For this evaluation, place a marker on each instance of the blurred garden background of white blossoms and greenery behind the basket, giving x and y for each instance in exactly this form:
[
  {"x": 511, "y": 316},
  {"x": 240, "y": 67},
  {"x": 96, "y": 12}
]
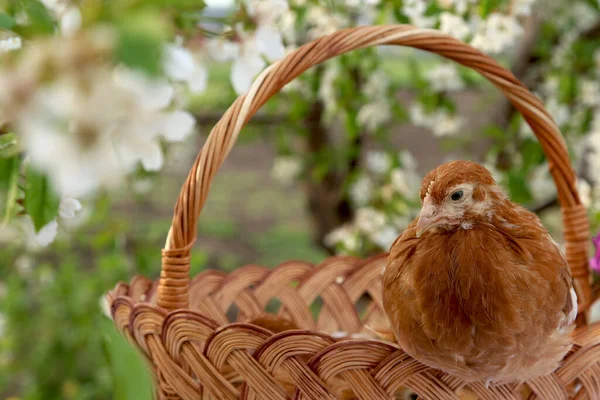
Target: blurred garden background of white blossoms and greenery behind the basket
[{"x": 105, "y": 104}]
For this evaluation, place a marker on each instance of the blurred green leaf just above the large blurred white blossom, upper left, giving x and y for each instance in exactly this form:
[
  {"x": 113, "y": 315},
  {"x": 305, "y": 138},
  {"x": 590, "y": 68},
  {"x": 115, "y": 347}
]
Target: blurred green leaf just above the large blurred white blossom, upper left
[{"x": 141, "y": 39}]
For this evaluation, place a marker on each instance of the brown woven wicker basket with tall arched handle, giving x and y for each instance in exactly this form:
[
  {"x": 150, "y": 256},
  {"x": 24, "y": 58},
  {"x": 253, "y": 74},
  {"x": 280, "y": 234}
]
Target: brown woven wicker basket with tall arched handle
[{"x": 181, "y": 325}]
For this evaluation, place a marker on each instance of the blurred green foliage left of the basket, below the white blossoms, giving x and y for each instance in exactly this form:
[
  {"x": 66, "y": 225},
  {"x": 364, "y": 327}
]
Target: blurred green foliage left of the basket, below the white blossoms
[{"x": 57, "y": 344}]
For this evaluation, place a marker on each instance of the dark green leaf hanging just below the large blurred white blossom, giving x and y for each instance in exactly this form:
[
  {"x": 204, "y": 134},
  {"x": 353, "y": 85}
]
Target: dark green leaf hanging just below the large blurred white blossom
[{"x": 41, "y": 202}]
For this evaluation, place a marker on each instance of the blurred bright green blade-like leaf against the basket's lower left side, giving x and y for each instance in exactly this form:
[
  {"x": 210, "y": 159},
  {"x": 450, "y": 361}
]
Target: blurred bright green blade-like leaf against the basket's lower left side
[{"x": 131, "y": 377}]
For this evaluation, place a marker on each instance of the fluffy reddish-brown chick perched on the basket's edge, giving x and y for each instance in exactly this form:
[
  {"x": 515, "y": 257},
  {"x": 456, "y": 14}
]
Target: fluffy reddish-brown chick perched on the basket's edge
[{"x": 476, "y": 286}]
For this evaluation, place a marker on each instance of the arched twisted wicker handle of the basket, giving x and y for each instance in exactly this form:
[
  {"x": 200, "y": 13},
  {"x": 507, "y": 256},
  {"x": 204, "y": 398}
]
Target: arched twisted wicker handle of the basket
[{"x": 174, "y": 279}]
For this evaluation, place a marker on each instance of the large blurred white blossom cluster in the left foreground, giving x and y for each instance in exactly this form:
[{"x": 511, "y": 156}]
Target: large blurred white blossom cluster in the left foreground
[{"x": 101, "y": 122}]
